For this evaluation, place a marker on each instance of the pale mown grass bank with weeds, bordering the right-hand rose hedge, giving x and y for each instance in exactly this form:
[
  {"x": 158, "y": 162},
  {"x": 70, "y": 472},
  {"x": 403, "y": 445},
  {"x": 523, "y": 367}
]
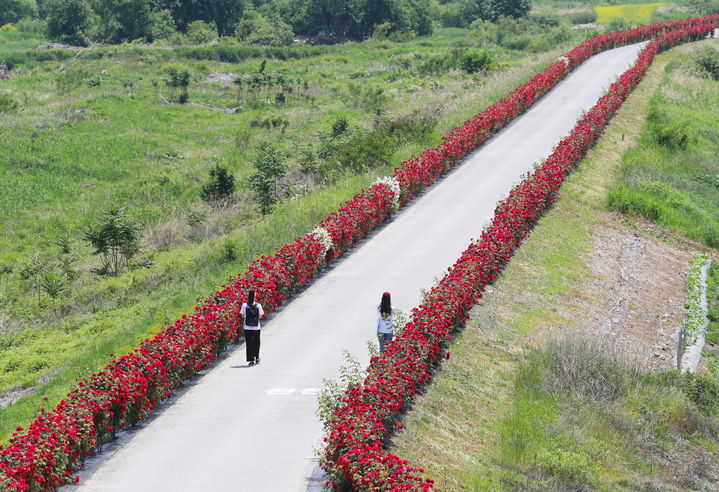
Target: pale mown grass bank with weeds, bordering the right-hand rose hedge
[{"x": 523, "y": 404}]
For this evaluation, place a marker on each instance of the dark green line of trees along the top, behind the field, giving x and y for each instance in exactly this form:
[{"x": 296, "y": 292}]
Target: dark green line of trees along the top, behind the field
[{"x": 261, "y": 22}]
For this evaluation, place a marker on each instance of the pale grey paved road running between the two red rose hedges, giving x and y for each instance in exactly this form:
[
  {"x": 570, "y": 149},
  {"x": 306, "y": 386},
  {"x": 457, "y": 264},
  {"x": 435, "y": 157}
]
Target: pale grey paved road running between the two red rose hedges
[{"x": 242, "y": 428}]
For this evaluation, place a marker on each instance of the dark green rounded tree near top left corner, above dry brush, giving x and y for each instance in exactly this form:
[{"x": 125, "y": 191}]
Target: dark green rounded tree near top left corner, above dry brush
[{"x": 68, "y": 21}]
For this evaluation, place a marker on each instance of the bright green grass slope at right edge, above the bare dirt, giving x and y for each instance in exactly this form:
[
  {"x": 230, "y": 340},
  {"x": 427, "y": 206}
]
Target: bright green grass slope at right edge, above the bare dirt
[{"x": 672, "y": 176}]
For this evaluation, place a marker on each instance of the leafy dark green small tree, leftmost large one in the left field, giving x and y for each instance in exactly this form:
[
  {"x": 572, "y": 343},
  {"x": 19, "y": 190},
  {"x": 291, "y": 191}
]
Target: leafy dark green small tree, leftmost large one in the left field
[{"x": 116, "y": 239}]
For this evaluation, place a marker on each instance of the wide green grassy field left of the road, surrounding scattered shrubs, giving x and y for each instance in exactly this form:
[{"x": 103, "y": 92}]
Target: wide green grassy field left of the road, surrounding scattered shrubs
[{"x": 95, "y": 129}]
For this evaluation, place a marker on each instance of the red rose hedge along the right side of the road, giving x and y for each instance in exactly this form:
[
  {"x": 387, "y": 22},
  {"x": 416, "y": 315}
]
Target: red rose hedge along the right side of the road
[{"x": 354, "y": 455}]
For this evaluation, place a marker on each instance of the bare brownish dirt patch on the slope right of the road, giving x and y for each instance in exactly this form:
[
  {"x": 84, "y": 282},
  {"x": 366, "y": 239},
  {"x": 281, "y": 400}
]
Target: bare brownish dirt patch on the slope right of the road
[{"x": 633, "y": 295}]
